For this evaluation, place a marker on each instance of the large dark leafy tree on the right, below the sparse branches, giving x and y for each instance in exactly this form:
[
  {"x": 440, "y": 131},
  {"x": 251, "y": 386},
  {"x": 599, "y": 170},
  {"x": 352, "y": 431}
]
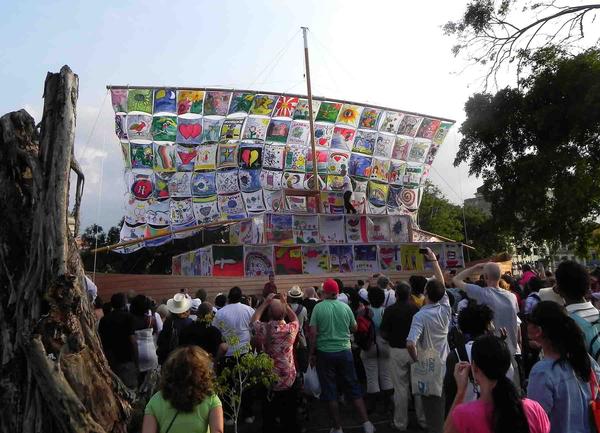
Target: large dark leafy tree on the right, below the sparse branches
[{"x": 537, "y": 149}]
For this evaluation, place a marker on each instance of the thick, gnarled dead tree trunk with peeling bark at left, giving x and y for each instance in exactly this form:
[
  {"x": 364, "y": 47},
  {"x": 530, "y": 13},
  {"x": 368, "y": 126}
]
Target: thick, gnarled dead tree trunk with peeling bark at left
[{"x": 53, "y": 374}]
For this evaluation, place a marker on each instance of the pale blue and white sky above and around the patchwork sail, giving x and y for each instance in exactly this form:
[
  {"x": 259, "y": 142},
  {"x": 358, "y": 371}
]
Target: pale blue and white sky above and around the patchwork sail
[{"x": 390, "y": 53}]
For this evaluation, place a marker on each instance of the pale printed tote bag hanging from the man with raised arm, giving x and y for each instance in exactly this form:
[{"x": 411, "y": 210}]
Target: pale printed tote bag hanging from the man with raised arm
[{"x": 427, "y": 374}]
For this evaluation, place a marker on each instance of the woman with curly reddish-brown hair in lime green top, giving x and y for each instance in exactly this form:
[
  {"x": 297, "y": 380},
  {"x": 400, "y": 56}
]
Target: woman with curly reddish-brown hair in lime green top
[{"x": 186, "y": 402}]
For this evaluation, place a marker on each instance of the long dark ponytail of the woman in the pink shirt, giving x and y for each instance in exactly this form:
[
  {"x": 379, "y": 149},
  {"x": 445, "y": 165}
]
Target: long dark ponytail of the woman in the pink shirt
[{"x": 509, "y": 415}]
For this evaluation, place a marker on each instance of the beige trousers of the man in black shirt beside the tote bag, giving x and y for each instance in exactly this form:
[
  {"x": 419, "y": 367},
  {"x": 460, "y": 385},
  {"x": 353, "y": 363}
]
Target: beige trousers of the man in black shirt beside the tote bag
[{"x": 400, "y": 362}]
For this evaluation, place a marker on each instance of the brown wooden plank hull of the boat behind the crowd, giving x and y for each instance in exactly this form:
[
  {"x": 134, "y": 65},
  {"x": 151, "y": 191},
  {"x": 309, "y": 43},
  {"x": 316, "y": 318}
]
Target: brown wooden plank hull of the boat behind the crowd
[{"x": 160, "y": 287}]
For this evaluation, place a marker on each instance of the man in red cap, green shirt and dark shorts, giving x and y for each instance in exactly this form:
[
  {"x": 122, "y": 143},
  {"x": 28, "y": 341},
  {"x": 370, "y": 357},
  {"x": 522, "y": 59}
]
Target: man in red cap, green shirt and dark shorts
[{"x": 331, "y": 324}]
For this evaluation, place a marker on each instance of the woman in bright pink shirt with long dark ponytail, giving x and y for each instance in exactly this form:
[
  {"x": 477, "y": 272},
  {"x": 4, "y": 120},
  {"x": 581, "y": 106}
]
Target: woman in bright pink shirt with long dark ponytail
[{"x": 500, "y": 407}]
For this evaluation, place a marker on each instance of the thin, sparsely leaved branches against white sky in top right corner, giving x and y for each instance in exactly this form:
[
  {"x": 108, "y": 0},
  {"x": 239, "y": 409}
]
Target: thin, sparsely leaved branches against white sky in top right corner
[{"x": 498, "y": 32}]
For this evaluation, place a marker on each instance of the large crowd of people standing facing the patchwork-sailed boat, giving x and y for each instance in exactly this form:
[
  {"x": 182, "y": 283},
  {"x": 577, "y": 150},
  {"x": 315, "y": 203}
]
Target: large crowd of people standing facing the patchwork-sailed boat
[{"x": 477, "y": 351}]
